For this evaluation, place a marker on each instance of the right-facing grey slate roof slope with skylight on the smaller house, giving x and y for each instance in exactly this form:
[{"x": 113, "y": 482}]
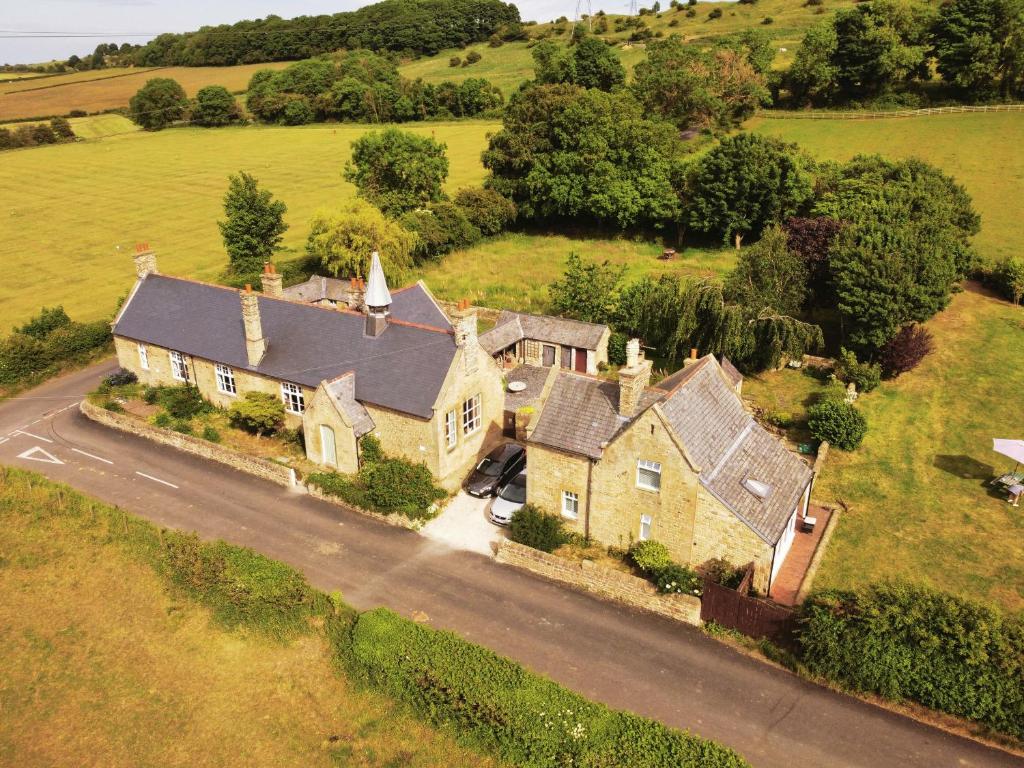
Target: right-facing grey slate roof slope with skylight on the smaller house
[{"x": 730, "y": 447}]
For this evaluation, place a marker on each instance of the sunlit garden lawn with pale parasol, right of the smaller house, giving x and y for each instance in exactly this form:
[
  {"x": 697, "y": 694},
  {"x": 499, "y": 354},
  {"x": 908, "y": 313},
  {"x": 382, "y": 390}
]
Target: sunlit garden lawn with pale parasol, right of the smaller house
[{"x": 916, "y": 493}]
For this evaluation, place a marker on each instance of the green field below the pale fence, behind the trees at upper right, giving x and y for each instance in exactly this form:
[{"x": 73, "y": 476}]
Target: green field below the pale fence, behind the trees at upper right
[{"x": 986, "y": 153}]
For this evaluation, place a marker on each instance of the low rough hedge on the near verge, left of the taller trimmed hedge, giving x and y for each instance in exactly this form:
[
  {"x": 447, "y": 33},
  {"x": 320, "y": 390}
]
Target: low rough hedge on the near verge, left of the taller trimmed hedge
[{"x": 241, "y": 586}]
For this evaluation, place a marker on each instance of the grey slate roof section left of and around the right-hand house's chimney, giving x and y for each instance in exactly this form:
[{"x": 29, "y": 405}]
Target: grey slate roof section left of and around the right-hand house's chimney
[{"x": 582, "y": 414}]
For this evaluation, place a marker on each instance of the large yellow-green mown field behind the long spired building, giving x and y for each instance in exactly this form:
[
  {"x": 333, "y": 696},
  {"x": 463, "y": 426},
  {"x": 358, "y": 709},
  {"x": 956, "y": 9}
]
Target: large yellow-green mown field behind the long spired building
[{"x": 73, "y": 212}]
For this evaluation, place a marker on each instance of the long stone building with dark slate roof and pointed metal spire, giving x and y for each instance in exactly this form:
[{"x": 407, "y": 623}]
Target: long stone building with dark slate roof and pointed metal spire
[{"x": 397, "y": 366}]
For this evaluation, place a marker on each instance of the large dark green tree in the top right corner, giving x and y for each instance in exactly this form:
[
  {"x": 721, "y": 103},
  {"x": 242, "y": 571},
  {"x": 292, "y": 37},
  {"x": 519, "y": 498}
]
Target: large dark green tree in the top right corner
[{"x": 979, "y": 47}]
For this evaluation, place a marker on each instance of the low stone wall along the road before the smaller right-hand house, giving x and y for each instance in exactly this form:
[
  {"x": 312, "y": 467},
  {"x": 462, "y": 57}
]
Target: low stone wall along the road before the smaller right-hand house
[{"x": 608, "y": 583}]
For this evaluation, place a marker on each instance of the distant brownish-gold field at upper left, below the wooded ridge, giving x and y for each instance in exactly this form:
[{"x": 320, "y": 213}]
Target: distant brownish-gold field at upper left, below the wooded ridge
[{"x": 109, "y": 90}]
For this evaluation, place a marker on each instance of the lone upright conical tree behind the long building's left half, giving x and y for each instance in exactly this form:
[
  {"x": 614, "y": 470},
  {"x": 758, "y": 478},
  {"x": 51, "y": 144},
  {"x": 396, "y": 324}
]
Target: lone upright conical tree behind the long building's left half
[{"x": 253, "y": 227}]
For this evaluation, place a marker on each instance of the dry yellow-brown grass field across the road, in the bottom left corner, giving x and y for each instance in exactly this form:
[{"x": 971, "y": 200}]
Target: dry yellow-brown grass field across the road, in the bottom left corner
[{"x": 103, "y": 667}]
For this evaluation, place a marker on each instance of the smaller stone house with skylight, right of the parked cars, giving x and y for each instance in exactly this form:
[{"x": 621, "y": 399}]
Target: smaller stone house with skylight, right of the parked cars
[{"x": 681, "y": 462}]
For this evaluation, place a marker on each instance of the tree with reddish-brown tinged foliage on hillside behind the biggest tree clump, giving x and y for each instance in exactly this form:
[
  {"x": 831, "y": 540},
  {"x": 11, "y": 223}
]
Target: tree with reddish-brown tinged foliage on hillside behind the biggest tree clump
[{"x": 694, "y": 88}]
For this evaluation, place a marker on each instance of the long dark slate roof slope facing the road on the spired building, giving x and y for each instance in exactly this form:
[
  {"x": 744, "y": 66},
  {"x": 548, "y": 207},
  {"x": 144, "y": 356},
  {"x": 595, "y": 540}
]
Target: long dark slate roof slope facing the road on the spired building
[{"x": 404, "y": 369}]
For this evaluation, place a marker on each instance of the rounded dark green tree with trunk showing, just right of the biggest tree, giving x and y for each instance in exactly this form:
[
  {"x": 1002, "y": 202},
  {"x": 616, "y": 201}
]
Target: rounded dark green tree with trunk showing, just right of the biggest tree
[{"x": 746, "y": 183}]
